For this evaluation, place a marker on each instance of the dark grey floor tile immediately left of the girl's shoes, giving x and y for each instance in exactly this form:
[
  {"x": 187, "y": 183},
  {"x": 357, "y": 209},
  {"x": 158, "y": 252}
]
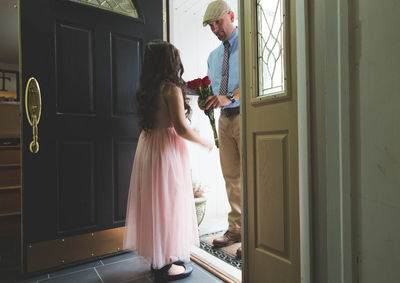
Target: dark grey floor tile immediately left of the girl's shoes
[{"x": 123, "y": 271}]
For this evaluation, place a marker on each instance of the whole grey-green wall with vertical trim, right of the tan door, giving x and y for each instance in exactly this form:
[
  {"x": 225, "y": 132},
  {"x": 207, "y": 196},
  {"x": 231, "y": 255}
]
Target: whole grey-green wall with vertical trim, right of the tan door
[{"x": 355, "y": 85}]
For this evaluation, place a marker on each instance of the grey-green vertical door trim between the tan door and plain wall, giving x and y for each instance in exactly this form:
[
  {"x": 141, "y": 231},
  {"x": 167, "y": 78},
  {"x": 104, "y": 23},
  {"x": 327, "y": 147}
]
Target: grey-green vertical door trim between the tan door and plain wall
[{"x": 330, "y": 139}]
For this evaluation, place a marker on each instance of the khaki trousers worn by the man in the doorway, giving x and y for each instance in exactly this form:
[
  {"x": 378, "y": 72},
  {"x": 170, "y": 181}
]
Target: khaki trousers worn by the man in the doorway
[{"x": 229, "y": 152}]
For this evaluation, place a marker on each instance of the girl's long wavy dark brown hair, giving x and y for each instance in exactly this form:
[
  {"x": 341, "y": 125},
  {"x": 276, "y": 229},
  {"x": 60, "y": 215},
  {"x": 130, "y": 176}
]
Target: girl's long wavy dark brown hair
[{"x": 161, "y": 65}]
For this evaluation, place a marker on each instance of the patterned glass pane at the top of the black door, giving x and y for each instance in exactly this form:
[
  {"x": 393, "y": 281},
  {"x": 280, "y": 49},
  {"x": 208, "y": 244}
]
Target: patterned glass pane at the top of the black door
[{"x": 124, "y": 7}]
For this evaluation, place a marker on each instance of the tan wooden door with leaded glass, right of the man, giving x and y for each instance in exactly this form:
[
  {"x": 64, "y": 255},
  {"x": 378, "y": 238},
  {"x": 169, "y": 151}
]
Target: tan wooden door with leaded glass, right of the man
[{"x": 272, "y": 252}]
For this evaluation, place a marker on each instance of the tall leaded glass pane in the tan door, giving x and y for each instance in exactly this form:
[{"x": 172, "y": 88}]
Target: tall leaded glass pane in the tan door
[{"x": 270, "y": 35}]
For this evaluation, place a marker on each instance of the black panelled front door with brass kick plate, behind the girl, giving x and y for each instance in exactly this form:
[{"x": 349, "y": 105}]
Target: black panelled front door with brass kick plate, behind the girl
[{"x": 87, "y": 62}]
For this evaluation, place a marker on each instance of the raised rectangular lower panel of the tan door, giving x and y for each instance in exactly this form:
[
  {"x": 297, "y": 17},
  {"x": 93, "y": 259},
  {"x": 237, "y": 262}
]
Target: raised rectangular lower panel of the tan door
[{"x": 271, "y": 192}]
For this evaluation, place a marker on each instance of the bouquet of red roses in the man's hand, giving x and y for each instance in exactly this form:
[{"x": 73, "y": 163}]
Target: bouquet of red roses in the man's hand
[{"x": 202, "y": 88}]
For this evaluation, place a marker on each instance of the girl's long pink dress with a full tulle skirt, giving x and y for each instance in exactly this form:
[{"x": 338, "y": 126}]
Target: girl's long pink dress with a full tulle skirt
[{"x": 161, "y": 220}]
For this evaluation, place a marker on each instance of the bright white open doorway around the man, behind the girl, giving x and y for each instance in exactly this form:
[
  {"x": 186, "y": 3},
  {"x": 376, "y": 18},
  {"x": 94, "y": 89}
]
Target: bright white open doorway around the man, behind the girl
[{"x": 195, "y": 43}]
